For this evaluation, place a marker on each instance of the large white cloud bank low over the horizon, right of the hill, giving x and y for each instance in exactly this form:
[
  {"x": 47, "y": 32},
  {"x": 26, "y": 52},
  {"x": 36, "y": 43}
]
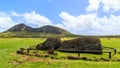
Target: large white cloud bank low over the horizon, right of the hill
[{"x": 91, "y": 24}]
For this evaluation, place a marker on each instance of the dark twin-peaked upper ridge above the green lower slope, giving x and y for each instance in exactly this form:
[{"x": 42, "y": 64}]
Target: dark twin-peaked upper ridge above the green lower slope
[{"x": 45, "y": 29}]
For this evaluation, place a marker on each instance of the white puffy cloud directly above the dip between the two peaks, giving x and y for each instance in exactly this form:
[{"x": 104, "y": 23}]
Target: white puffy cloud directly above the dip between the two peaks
[{"x": 37, "y": 19}]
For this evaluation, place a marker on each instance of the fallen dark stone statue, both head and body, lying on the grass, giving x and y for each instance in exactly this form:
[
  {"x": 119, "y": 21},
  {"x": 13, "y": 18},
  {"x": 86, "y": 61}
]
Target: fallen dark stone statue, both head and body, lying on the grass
[{"x": 84, "y": 43}]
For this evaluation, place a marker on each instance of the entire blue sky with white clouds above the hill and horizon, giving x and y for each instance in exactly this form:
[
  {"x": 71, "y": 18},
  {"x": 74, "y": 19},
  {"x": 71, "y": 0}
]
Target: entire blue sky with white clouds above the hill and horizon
[{"x": 83, "y": 17}]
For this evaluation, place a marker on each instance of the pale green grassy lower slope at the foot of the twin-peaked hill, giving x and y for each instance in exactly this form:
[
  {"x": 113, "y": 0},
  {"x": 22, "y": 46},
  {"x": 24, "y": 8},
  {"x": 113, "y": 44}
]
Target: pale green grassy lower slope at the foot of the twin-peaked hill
[{"x": 33, "y": 35}]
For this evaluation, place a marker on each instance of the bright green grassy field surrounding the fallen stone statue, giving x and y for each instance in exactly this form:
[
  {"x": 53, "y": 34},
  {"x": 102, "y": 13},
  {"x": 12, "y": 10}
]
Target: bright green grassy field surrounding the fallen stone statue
[{"x": 9, "y": 58}]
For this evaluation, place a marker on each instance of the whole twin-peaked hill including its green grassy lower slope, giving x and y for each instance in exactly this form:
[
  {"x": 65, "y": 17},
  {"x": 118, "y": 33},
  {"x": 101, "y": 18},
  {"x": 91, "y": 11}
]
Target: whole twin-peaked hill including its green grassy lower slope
[{"x": 22, "y": 30}]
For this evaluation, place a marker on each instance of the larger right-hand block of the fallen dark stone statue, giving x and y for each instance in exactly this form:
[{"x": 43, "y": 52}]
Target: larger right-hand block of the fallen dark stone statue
[{"x": 83, "y": 43}]
